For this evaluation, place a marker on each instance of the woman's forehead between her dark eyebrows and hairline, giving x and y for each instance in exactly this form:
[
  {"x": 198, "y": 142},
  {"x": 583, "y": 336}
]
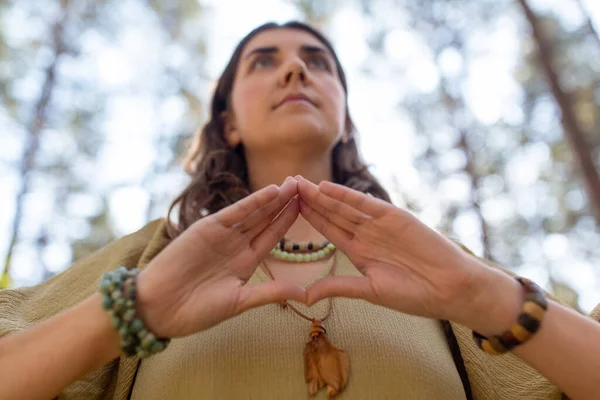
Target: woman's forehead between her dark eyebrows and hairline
[{"x": 285, "y": 39}]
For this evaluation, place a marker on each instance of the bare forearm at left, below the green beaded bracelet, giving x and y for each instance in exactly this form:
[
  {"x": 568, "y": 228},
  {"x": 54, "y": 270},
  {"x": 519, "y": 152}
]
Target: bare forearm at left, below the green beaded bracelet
[{"x": 40, "y": 362}]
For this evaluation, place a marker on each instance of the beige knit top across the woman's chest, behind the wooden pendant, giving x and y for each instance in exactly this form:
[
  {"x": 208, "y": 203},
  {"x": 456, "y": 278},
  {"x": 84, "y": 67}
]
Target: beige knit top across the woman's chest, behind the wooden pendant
[{"x": 258, "y": 355}]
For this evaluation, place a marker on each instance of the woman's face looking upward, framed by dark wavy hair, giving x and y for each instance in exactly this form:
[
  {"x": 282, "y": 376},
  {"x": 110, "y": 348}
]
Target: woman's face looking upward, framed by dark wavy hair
[{"x": 286, "y": 92}]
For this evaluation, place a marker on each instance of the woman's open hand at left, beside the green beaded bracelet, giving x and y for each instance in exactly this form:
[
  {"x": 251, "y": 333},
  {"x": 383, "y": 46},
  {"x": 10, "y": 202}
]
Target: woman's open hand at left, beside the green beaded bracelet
[{"x": 199, "y": 279}]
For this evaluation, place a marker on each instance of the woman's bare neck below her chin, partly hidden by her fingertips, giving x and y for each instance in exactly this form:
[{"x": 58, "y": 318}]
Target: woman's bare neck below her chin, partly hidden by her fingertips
[{"x": 266, "y": 170}]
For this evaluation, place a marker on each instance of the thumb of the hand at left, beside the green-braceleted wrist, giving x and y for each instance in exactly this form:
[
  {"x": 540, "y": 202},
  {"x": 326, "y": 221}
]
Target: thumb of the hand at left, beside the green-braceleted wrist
[{"x": 270, "y": 292}]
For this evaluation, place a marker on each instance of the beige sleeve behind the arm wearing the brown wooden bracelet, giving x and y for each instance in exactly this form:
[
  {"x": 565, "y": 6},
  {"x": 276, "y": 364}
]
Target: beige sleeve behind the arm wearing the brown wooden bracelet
[{"x": 505, "y": 377}]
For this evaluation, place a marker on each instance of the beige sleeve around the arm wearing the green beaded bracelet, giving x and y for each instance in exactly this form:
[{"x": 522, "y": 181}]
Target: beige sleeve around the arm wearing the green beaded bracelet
[{"x": 24, "y": 307}]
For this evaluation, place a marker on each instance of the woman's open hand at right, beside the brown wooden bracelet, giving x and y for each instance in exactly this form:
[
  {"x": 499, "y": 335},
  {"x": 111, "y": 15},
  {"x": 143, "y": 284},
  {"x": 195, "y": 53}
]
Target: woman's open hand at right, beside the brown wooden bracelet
[{"x": 407, "y": 266}]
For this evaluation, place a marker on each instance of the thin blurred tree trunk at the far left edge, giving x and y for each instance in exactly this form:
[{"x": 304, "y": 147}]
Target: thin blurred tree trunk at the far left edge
[{"x": 33, "y": 138}]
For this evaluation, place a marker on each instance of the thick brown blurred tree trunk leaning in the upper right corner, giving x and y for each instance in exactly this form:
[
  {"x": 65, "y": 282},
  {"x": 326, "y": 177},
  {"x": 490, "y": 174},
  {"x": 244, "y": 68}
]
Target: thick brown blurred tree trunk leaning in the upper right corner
[{"x": 572, "y": 128}]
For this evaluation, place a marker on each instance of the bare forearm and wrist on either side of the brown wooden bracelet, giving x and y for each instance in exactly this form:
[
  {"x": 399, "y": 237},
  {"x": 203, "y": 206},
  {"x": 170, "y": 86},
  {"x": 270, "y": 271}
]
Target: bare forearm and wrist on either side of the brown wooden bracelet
[{"x": 566, "y": 348}]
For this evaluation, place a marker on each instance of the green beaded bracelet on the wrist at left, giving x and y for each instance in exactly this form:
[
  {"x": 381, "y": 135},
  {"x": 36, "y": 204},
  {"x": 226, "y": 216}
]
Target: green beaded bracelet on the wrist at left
[{"x": 118, "y": 288}]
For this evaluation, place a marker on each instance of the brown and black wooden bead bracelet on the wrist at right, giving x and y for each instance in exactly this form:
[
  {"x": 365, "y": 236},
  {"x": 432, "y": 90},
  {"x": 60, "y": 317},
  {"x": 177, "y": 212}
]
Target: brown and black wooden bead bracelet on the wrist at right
[{"x": 529, "y": 322}]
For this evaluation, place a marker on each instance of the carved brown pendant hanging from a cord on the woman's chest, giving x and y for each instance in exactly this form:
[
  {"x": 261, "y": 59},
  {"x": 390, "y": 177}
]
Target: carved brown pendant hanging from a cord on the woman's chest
[{"x": 325, "y": 364}]
